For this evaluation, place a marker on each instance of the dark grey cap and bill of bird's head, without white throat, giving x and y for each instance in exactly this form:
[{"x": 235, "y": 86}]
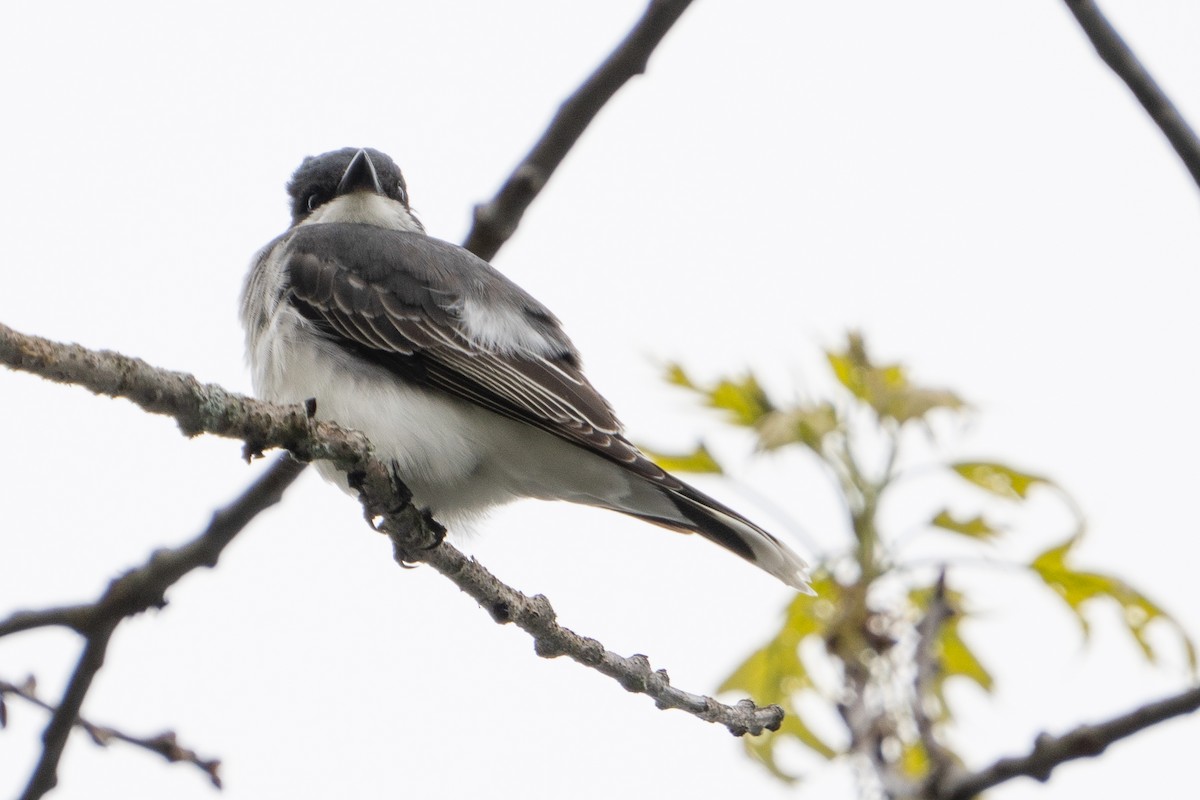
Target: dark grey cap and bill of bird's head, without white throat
[{"x": 335, "y": 175}]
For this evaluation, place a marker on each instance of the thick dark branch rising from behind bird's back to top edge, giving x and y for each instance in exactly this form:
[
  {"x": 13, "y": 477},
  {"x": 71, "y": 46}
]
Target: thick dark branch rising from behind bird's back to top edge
[{"x": 497, "y": 220}]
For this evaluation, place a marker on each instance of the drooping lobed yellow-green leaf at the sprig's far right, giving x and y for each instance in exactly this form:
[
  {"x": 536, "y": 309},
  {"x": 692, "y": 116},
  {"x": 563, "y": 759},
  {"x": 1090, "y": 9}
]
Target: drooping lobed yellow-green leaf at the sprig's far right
[{"x": 1078, "y": 588}]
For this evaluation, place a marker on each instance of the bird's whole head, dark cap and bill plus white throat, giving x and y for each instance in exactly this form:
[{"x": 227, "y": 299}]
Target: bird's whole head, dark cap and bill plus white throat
[{"x": 358, "y": 185}]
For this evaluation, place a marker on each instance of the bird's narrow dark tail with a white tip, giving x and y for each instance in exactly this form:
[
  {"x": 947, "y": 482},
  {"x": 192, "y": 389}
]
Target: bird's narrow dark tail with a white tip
[{"x": 700, "y": 514}]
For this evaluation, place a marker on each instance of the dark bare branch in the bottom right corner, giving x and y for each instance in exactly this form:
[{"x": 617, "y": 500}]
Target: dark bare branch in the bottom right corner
[{"x": 1084, "y": 742}]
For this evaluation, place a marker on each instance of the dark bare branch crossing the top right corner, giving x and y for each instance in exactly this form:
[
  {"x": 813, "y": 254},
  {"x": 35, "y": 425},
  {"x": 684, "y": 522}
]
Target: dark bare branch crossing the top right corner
[{"x": 1115, "y": 53}]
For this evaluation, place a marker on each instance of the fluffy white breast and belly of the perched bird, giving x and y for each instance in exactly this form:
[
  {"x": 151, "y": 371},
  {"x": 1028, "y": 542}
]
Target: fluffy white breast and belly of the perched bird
[{"x": 459, "y": 460}]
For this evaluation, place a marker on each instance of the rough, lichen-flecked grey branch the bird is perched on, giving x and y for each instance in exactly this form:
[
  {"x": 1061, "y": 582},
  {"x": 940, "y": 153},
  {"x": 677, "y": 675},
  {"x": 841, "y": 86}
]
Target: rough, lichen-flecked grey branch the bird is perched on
[{"x": 208, "y": 408}]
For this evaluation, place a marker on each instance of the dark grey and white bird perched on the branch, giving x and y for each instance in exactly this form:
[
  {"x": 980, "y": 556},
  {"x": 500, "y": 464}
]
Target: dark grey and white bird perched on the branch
[{"x": 464, "y": 382}]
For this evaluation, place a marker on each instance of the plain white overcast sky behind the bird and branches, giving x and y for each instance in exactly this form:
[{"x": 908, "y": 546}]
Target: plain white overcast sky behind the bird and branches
[{"x": 967, "y": 183}]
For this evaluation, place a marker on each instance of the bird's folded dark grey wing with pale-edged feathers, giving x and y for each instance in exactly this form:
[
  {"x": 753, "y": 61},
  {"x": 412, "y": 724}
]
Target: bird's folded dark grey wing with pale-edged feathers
[{"x": 436, "y": 315}]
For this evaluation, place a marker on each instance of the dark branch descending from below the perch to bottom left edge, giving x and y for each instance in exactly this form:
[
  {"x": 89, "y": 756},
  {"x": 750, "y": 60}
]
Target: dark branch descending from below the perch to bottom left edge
[{"x": 139, "y": 591}]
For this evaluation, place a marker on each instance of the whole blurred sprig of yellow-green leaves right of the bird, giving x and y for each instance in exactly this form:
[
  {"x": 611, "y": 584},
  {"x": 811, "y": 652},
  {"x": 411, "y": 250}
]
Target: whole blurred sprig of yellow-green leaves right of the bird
[{"x": 889, "y": 631}]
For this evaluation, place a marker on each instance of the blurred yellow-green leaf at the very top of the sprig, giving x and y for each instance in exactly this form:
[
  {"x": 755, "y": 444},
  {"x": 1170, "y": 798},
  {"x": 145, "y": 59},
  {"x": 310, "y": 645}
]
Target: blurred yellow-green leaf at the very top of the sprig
[{"x": 886, "y": 388}]
